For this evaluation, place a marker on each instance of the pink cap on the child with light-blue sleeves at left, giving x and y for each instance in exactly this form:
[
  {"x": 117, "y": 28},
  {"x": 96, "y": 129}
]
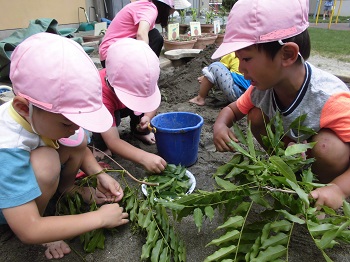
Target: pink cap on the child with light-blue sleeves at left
[{"x": 55, "y": 74}]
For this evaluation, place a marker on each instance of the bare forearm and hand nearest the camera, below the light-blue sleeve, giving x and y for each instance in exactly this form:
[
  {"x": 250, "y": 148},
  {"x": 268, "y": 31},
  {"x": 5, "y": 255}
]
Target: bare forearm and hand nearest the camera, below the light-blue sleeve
[{"x": 31, "y": 228}]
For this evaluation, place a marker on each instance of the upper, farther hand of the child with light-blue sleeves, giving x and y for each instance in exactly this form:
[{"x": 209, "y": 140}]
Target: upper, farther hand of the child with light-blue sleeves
[{"x": 109, "y": 187}]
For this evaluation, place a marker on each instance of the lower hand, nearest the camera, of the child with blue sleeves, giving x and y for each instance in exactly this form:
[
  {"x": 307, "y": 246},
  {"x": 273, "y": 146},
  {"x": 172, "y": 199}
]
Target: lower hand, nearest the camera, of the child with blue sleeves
[{"x": 112, "y": 215}]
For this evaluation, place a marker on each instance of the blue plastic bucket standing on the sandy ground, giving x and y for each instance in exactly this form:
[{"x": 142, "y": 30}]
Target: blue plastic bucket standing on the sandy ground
[{"x": 177, "y": 136}]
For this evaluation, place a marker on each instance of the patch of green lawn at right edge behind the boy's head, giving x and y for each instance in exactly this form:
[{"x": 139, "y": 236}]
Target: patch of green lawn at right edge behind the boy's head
[{"x": 330, "y": 43}]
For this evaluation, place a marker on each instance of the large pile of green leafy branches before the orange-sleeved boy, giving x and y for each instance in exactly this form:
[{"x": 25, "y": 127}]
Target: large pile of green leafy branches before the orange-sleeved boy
[{"x": 279, "y": 183}]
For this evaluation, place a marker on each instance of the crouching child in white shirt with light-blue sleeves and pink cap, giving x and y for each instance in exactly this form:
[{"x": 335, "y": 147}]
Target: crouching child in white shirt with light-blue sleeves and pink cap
[{"x": 57, "y": 93}]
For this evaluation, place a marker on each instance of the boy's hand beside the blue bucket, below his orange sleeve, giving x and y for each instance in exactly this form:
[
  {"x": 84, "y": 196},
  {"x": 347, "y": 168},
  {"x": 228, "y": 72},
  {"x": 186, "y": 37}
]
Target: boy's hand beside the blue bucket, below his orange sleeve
[{"x": 222, "y": 135}]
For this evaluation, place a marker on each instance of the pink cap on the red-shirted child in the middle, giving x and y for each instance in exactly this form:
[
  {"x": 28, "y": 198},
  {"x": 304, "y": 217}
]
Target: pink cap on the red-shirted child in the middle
[{"x": 132, "y": 69}]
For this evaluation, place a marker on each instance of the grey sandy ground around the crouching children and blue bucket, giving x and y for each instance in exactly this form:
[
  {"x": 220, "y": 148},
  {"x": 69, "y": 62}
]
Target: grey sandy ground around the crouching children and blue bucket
[{"x": 178, "y": 85}]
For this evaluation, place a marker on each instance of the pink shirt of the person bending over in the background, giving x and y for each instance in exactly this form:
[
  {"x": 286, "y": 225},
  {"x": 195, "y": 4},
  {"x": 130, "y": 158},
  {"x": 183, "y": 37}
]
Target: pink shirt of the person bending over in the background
[{"x": 126, "y": 23}]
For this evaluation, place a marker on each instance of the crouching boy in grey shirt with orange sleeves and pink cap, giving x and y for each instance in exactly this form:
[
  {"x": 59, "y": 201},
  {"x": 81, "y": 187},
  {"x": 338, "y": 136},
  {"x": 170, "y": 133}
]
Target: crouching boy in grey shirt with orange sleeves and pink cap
[{"x": 271, "y": 40}]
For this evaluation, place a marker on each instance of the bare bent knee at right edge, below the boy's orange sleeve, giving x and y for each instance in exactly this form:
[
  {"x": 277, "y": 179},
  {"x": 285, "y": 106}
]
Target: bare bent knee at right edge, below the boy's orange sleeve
[{"x": 331, "y": 155}]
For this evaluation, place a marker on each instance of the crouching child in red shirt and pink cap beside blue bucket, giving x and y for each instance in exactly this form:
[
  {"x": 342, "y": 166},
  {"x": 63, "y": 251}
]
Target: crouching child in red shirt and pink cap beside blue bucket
[{"x": 129, "y": 84}]
